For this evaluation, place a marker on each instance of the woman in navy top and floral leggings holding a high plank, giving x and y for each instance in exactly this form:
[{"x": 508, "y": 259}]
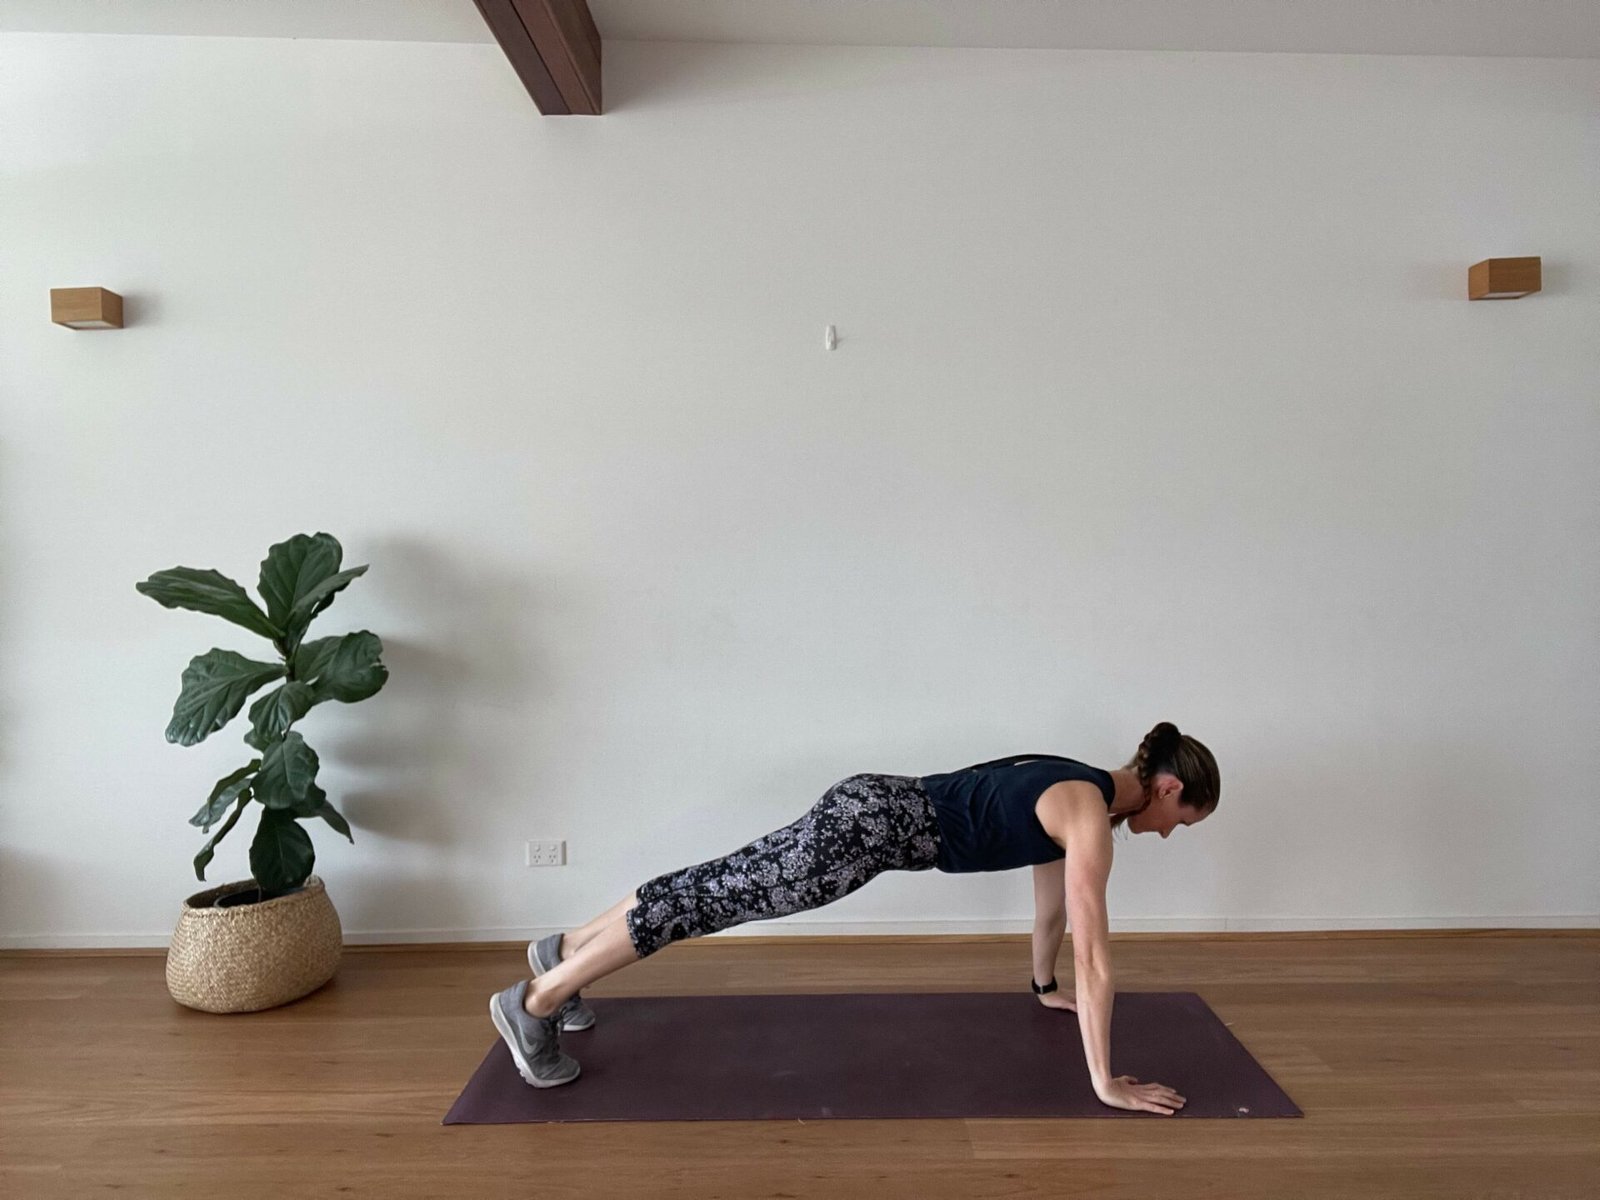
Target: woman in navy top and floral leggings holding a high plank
[{"x": 1047, "y": 812}]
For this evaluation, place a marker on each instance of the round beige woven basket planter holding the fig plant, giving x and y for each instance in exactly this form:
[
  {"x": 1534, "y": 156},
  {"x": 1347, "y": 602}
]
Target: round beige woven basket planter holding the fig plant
[{"x": 249, "y": 958}]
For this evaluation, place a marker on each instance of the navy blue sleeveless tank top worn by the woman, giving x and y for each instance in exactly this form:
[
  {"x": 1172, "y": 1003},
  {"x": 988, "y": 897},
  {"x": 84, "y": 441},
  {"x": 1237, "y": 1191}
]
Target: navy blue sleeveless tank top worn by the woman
[{"x": 986, "y": 812}]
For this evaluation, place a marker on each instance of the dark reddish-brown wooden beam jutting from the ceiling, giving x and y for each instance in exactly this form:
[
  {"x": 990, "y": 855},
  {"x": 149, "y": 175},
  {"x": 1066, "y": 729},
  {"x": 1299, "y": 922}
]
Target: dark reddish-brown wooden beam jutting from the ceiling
[{"x": 554, "y": 47}]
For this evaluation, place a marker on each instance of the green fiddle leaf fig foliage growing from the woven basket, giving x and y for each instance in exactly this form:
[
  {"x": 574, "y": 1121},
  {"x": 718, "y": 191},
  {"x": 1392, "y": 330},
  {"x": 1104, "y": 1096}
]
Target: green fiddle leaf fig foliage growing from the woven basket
[{"x": 300, "y": 578}]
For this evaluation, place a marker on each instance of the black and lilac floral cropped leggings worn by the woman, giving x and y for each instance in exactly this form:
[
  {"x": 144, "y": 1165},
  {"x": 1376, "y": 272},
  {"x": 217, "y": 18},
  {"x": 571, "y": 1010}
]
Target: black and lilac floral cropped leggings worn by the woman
[{"x": 860, "y": 828}]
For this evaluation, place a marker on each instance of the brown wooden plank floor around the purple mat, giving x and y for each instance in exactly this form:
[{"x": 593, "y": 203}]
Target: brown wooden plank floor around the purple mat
[{"x": 1428, "y": 1066}]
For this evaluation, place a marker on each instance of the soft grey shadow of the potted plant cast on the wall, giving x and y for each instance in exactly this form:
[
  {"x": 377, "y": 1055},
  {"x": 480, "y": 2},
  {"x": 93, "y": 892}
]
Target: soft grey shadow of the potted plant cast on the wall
[{"x": 457, "y": 742}]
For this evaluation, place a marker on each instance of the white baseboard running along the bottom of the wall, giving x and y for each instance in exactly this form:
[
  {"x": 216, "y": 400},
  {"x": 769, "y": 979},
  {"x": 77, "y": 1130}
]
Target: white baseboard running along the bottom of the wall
[{"x": 788, "y": 927}]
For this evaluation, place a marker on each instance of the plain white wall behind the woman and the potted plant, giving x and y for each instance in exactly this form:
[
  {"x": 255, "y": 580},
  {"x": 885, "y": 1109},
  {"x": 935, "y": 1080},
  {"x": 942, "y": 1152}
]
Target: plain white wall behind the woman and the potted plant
[{"x": 1158, "y": 398}]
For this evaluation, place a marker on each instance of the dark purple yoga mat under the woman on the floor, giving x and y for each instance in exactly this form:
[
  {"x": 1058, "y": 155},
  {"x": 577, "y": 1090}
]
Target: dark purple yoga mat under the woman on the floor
[{"x": 881, "y": 1055}]
